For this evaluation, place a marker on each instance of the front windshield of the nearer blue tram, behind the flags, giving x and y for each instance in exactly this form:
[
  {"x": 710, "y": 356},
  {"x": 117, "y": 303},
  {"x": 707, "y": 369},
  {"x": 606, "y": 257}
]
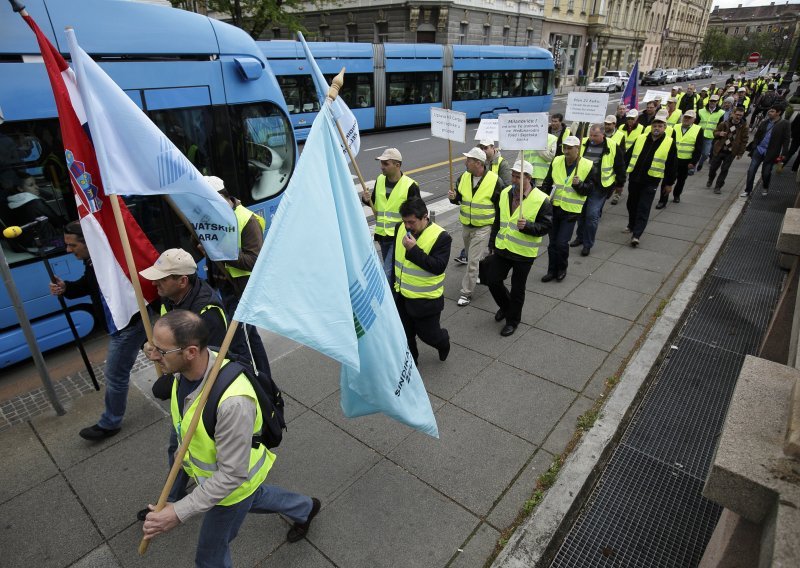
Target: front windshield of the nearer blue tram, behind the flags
[{"x": 265, "y": 138}]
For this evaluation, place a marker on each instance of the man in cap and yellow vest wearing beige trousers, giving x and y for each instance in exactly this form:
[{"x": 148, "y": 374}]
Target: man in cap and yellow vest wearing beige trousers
[{"x": 476, "y": 193}]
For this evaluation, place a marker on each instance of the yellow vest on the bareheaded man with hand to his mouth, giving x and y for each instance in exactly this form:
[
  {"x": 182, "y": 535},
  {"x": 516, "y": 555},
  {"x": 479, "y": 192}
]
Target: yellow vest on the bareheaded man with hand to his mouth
[{"x": 409, "y": 279}]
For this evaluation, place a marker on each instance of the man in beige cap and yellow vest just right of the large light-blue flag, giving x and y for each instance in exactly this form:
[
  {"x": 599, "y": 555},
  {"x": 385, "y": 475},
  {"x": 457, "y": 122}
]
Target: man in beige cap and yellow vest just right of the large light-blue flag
[{"x": 392, "y": 187}]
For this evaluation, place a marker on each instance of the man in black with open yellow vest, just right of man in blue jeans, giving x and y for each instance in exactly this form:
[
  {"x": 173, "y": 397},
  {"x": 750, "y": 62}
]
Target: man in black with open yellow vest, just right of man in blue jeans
[{"x": 651, "y": 163}]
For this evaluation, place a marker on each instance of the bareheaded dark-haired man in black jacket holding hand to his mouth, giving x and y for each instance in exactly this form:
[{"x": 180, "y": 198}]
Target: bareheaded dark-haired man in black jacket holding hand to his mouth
[{"x": 421, "y": 253}]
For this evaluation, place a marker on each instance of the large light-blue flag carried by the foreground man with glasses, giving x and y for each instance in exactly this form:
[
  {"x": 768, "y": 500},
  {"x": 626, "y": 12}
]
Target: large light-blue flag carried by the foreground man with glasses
[{"x": 321, "y": 283}]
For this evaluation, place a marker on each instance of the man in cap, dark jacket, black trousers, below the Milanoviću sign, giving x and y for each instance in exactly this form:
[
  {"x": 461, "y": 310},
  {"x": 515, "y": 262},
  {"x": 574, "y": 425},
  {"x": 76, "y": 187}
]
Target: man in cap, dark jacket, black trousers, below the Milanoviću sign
[{"x": 523, "y": 216}]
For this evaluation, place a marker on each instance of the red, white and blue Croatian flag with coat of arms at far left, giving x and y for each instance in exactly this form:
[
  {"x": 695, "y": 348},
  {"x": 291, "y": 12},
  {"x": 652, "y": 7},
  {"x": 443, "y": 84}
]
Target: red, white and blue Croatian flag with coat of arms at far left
[{"x": 94, "y": 208}]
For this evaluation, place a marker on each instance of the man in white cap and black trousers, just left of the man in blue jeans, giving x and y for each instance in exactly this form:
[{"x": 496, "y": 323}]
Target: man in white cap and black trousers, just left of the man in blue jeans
[{"x": 570, "y": 179}]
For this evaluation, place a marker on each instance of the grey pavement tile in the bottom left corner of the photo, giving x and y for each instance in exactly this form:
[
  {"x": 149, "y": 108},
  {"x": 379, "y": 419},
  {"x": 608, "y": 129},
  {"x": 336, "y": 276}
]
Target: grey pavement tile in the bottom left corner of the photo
[{"x": 46, "y": 527}]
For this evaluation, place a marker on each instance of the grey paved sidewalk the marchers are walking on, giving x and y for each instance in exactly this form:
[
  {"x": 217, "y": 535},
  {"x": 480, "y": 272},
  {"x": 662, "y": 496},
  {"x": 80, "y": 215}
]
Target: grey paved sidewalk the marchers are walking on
[{"x": 391, "y": 497}]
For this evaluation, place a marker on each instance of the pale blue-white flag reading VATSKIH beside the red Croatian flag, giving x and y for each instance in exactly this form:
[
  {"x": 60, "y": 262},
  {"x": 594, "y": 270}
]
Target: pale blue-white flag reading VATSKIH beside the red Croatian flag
[{"x": 136, "y": 158}]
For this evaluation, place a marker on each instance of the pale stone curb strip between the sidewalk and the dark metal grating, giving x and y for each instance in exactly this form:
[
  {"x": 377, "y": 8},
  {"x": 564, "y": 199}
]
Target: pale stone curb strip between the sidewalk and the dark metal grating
[{"x": 529, "y": 544}]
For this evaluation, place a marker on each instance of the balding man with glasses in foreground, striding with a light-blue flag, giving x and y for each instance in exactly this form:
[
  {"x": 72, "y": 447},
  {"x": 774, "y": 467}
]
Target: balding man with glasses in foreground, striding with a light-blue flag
[{"x": 230, "y": 472}]
